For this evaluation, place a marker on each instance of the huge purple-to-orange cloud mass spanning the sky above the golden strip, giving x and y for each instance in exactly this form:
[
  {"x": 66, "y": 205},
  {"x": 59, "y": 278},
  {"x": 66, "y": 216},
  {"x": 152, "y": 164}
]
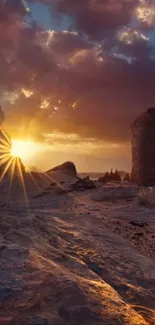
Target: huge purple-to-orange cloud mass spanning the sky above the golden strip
[{"x": 65, "y": 82}]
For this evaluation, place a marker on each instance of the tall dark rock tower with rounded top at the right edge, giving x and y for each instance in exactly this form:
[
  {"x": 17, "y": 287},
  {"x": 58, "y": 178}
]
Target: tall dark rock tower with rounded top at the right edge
[{"x": 143, "y": 149}]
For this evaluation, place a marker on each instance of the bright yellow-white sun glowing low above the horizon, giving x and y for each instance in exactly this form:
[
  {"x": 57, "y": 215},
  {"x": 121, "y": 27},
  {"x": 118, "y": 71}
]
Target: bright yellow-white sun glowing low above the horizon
[{"x": 23, "y": 149}]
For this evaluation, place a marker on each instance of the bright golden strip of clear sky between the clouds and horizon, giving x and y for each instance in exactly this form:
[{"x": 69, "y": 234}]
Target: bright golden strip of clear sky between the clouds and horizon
[{"x": 89, "y": 155}]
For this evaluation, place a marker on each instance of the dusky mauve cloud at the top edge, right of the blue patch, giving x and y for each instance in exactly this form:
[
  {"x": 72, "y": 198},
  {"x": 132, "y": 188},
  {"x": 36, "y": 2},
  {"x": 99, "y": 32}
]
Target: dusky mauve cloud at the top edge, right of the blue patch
[{"x": 95, "y": 18}]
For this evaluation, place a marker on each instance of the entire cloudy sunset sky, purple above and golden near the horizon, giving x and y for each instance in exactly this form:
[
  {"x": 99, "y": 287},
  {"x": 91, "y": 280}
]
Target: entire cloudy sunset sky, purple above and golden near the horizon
[{"x": 74, "y": 76}]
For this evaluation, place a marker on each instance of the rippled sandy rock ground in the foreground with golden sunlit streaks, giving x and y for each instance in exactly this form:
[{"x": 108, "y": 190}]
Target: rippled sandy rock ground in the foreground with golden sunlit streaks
[{"x": 68, "y": 260}]
